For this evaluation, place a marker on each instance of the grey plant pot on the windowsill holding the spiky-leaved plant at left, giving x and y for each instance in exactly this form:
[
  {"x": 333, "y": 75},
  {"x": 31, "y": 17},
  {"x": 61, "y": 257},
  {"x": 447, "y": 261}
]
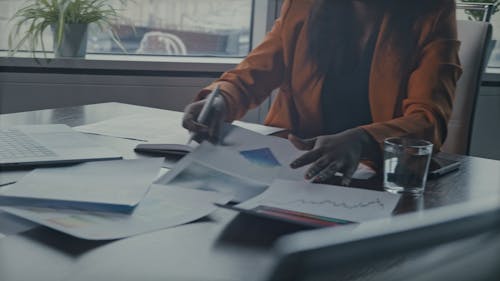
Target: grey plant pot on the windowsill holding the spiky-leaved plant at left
[{"x": 73, "y": 43}]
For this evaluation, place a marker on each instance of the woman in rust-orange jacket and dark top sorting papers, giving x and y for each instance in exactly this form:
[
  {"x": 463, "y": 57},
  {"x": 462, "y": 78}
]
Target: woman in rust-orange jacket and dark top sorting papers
[{"x": 350, "y": 73}]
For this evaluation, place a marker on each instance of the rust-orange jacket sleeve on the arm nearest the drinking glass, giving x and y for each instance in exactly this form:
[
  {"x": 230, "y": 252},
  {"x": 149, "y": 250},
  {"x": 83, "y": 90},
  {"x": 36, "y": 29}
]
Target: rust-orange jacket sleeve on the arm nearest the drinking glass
[{"x": 431, "y": 87}]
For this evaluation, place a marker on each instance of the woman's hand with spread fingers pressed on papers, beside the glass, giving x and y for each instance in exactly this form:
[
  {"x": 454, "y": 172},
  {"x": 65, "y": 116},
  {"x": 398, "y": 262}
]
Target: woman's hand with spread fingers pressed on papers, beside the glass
[{"x": 333, "y": 153}]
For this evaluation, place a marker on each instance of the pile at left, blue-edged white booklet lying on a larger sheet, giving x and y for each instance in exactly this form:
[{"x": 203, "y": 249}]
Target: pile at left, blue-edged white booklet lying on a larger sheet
[{"x": 88, "y": 200}]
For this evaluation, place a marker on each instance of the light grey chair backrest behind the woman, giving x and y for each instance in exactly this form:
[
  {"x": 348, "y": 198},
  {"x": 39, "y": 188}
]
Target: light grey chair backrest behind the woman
[{"x": 475, "y": 38}]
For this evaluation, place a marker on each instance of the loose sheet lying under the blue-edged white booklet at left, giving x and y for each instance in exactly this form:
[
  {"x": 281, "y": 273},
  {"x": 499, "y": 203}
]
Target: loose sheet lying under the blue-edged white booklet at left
[{"x": 162, "y": 207}]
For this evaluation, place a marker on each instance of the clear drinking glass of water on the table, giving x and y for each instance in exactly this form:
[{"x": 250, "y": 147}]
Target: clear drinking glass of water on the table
[{"x": 406, "y": 162}]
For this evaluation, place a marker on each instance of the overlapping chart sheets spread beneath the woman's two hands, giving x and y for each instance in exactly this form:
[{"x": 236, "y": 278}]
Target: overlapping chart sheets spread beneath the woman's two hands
[{"x": 254, "y": 169}]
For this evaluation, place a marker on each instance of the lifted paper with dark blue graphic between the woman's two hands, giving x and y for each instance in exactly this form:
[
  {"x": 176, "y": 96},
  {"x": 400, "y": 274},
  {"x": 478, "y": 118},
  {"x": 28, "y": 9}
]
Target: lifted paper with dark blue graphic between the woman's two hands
[{"x": 243, "y": 165}]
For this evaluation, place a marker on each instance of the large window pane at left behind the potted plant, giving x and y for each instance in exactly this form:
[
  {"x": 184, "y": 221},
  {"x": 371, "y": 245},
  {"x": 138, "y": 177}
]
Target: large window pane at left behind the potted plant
[{"x": 164, "y": 27}]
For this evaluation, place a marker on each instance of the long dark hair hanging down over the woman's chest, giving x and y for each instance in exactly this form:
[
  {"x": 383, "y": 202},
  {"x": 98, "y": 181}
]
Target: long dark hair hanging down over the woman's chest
[{"x": 330, "y": 39}]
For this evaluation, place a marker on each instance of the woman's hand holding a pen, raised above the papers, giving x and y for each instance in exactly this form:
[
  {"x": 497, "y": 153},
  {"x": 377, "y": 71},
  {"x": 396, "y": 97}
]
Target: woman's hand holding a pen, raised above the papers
[{"x": 210, "y": 129}]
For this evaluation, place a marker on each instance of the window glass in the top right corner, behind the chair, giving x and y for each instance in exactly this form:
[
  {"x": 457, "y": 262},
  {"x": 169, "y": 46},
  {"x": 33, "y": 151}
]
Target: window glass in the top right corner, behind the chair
[{"x": 495, "y": 21}]
